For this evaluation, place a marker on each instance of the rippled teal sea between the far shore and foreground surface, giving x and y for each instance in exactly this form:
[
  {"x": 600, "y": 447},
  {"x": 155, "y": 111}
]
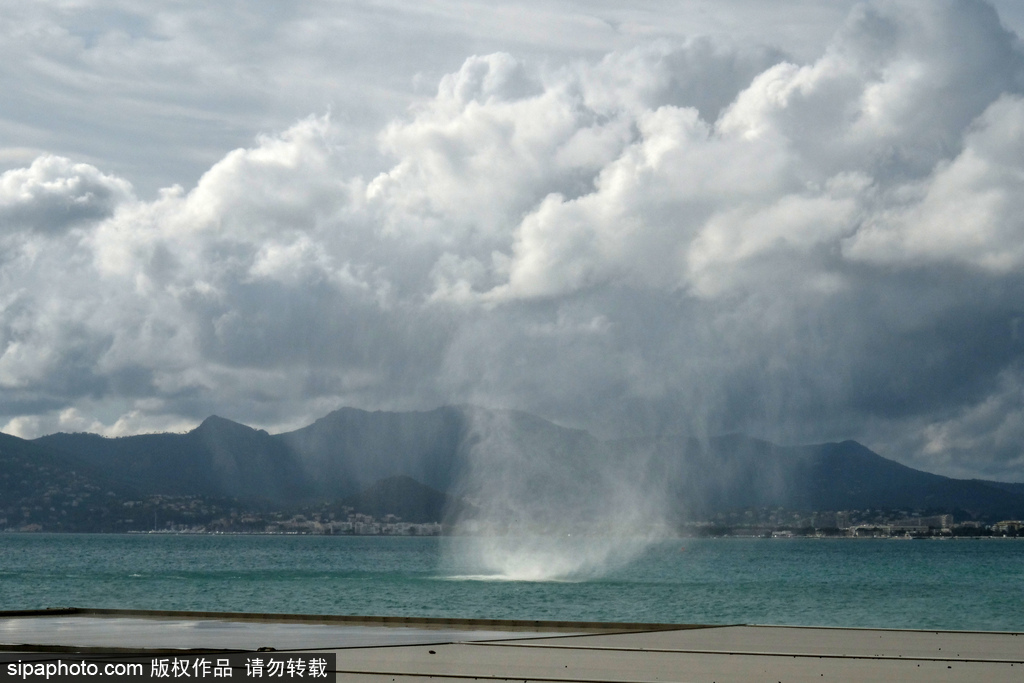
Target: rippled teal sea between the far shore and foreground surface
[{"x": 953, "y": 584}]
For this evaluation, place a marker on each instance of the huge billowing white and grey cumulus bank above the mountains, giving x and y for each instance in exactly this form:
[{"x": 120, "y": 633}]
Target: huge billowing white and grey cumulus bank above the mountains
[{"x": 682, "y": 236}]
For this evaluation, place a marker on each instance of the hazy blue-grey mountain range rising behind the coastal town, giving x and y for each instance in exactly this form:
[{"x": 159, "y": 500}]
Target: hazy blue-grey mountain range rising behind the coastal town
[{"x": 461, "y": 451}]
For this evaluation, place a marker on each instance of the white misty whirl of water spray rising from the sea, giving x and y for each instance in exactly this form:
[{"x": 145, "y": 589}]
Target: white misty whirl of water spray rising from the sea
[{"x": 550, "y": 505}]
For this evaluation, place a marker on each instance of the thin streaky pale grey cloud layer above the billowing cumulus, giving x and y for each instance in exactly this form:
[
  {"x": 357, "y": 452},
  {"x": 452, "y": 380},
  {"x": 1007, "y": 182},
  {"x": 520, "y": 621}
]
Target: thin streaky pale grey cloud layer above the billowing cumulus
[{"x": 157, "y": 95}]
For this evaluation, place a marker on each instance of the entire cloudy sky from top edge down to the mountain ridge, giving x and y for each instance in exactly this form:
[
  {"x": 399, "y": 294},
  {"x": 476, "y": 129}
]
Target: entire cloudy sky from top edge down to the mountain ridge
[{"x": 801, "y": 221}]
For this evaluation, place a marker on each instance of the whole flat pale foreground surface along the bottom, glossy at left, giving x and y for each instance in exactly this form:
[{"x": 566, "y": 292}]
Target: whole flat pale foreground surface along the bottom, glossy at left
[{"x": 404, "y": 650}]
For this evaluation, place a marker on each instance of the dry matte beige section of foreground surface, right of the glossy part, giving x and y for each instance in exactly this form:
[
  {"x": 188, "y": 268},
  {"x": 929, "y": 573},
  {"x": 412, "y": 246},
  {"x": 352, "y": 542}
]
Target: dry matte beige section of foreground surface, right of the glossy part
[{"x": 731, "y": 655}]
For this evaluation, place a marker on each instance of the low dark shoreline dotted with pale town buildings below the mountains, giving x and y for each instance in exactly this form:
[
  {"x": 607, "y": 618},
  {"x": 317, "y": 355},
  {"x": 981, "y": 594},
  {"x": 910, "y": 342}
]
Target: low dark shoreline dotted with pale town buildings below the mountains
[{"x": 98, "y": 511}]
